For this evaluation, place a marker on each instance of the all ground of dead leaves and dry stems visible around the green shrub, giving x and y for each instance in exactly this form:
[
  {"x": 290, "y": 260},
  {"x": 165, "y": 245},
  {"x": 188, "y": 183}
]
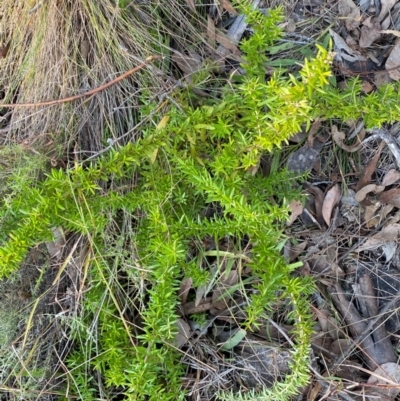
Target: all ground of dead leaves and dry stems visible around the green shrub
[{"x": 345, "y": 234}]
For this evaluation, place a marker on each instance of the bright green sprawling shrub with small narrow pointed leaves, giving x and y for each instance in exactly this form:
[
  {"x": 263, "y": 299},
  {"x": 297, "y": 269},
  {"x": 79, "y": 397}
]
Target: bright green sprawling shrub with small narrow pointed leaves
[{"x": 197, "y": 156}]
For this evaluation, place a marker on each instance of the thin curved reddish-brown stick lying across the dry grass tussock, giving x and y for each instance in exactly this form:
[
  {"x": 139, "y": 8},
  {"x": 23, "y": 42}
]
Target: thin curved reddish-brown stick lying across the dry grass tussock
[{"x": 88, "y": 93}]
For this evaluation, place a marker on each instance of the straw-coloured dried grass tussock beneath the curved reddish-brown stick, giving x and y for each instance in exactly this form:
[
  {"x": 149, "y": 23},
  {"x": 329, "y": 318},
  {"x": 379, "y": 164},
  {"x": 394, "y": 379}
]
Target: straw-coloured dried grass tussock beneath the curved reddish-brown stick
[{"x": 56, "y": 49}]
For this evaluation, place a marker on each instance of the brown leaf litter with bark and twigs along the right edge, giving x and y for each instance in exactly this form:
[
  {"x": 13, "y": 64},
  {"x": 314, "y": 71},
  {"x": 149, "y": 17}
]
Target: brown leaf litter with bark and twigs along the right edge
[{"x": 346, "y": 233}]
